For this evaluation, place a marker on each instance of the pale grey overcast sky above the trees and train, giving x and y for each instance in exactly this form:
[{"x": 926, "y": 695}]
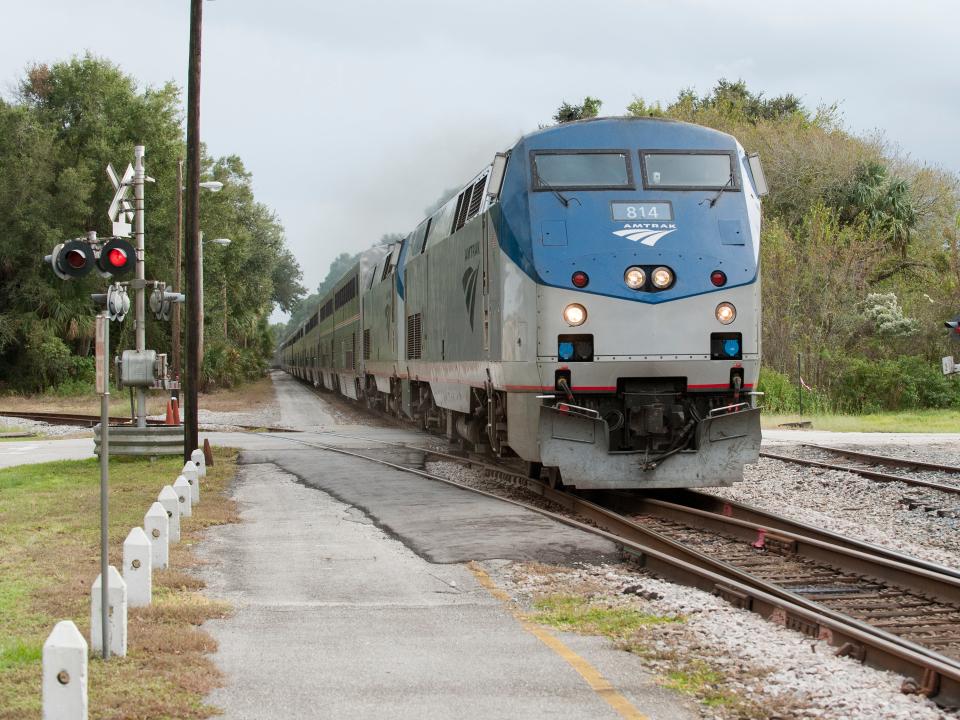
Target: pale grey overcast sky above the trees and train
[{"x": 354, "y": 116}]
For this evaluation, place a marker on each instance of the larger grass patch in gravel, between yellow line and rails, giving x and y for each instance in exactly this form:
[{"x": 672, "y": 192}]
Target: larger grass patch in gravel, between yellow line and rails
[{"x": 577, "y": 614}]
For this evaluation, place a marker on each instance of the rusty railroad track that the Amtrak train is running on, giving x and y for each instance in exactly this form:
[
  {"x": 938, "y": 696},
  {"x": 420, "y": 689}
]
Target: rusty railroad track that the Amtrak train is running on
[{"x": 883, "y": 608}]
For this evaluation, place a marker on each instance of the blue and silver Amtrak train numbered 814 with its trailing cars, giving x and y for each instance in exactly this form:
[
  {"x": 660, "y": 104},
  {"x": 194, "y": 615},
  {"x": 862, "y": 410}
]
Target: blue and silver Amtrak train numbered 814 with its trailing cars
[{"x": 589, "y": 302}]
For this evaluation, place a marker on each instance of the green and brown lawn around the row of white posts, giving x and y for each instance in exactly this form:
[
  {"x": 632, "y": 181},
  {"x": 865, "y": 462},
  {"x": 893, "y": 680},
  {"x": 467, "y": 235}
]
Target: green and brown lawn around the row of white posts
[{"x": 49, "y": 557}]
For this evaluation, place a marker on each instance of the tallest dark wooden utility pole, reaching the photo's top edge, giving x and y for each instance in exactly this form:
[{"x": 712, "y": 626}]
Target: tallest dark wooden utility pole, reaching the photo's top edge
[{"x": 194, "y": 279}]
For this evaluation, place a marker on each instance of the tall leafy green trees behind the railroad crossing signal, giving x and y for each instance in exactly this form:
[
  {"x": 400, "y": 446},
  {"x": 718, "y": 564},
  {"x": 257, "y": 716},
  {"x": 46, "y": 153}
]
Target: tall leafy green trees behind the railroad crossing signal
[{"x": 66, "y": 122}]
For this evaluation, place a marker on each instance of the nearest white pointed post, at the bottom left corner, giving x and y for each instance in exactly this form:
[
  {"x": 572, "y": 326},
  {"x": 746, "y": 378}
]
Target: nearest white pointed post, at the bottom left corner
[{"x": 65, "y": 673}]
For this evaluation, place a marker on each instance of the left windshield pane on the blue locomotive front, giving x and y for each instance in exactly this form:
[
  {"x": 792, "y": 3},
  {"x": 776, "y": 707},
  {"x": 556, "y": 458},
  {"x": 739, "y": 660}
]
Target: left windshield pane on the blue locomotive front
[{"x": 581, "y": 170}]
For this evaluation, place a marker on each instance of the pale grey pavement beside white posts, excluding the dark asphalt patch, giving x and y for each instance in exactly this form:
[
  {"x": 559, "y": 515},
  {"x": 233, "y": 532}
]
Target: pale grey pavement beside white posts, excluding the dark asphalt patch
[{"x": 336, "y": 619}]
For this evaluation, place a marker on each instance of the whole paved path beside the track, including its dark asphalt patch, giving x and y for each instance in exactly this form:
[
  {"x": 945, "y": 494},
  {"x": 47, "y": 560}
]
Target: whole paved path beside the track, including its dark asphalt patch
[{"x": 355, "y": 600}]
